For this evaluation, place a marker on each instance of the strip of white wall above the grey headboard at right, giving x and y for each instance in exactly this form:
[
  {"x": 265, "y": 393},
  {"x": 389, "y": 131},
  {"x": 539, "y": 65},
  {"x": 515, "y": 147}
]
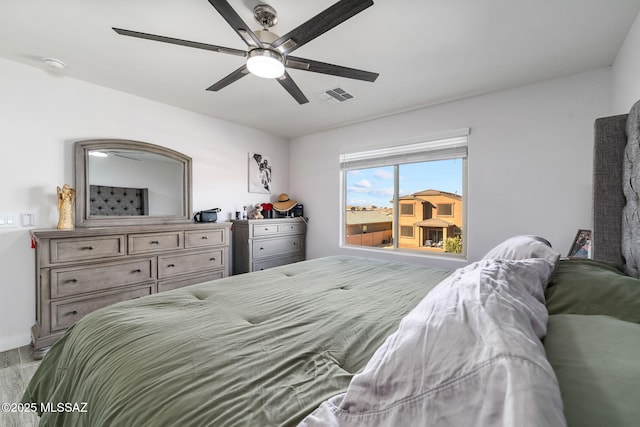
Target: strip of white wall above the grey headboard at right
[{"x": 626, "y": 71}]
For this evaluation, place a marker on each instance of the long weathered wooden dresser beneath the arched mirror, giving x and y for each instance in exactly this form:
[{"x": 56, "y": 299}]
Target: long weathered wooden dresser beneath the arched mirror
[{"x": 81, "y": 270}]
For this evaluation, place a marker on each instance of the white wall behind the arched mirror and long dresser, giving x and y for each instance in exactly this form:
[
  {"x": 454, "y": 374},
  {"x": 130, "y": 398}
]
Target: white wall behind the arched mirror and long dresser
[{"x": 41, "y": 115}]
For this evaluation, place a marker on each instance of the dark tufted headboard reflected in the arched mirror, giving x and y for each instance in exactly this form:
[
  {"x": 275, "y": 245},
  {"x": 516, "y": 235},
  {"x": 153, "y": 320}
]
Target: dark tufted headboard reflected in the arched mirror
[{"x": 118, "y": 201}]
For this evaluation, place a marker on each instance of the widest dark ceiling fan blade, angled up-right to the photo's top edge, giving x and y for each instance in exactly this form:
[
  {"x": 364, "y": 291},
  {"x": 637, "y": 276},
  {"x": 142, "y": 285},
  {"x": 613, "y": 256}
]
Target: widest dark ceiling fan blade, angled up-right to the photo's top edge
[{"x": 319, "y": 24}]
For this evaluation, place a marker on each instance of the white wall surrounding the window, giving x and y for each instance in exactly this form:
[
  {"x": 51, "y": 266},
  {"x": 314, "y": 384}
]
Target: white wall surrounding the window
[{"x": 530, "y": 156}]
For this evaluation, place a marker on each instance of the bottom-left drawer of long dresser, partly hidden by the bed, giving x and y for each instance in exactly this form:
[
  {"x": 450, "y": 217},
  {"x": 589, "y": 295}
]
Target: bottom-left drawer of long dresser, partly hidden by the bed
[{"x": 66, "y": 313}]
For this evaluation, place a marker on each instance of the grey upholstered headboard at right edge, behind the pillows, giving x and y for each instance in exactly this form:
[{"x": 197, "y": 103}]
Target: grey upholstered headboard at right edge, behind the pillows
[{"x": 616, "y": 182}]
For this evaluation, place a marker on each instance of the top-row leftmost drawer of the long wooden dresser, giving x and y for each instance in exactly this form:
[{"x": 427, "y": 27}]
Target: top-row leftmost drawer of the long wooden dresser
[{"x": 79, "y": 249}]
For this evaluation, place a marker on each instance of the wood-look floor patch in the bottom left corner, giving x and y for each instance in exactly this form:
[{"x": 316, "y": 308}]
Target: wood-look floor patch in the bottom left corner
[{"x": 16, "y": 368}]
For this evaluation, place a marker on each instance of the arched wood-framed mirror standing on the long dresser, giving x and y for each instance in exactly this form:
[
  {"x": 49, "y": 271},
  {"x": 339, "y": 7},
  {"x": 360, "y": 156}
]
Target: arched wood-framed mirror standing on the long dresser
[{"x": 122, "y": 182}]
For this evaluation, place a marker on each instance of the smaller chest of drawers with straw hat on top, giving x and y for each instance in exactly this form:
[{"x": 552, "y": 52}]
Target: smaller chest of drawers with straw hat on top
[{"x": 259, "y": 244}]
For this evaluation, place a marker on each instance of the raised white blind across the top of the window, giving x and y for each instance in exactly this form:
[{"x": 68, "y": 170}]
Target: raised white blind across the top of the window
[{"x": 453, "y": 146}]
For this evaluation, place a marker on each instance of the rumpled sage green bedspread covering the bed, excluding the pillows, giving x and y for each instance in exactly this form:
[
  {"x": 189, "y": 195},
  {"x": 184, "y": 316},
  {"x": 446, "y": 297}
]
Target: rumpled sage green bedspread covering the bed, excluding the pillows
[{"x": 262, "y": 349}]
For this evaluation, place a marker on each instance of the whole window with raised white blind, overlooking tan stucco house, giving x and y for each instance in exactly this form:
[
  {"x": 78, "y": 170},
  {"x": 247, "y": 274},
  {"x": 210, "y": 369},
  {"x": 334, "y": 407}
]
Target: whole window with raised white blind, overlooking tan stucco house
[{"x": 407, "y": 197}]
